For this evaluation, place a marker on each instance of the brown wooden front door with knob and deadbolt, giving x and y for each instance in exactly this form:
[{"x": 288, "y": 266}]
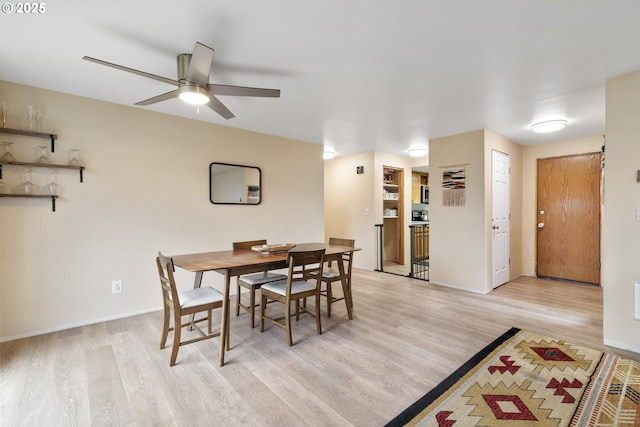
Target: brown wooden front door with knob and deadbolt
[{"x": 569, "y": 218}]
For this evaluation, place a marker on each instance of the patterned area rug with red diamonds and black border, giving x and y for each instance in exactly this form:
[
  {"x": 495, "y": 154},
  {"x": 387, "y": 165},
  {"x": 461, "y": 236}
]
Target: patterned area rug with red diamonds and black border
[{"x": 525, "y": 379}]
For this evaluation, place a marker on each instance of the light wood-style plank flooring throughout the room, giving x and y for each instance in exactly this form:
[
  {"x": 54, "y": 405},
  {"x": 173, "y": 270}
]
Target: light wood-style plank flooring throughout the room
[{"x": 406, "y": 336}]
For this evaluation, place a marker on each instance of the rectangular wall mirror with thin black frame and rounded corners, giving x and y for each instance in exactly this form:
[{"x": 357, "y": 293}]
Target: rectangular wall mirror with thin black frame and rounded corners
[{"x": 231, "y": 184}]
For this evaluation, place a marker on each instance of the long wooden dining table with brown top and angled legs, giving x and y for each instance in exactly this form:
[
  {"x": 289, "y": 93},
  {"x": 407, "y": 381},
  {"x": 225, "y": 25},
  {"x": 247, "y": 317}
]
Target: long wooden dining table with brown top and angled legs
[{"x": 237, "y": 262}]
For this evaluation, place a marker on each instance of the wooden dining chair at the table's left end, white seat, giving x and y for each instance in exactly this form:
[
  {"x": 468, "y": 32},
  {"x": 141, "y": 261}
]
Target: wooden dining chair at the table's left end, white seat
[{"x": 183, "y": 303}]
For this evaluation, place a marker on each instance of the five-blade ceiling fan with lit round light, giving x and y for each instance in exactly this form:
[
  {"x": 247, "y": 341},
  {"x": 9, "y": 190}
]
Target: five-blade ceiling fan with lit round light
[{"x": 193, "y": 82}]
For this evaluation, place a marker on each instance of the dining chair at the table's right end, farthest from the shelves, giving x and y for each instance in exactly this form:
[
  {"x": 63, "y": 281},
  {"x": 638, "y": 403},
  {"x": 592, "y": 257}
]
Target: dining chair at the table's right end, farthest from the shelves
[{"x": 331, "y": 275}]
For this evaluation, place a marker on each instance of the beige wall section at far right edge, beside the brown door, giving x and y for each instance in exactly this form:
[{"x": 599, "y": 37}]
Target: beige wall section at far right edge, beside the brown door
[{"x": 621, "y": 229}]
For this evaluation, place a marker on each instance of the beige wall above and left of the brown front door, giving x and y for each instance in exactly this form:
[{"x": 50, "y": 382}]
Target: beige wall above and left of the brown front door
[{"x": 531, "y": 154}]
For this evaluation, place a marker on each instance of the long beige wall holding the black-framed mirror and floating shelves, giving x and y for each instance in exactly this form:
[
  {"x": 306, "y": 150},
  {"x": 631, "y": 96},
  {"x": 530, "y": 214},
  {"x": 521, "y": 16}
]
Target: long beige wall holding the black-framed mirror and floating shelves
[{"x": 146, "y": 189}]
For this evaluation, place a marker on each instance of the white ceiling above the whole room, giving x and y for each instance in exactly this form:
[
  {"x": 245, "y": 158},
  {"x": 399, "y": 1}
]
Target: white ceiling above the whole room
[{"x": 355, "y": 75}]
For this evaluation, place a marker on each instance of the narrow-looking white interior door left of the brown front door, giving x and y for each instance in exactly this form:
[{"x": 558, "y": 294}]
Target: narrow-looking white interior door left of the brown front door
[{"x": 500, "y": 217}]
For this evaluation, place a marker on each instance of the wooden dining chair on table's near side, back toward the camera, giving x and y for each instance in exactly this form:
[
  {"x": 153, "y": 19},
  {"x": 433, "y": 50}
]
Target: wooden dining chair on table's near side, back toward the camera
[{"x": 303, "y": 280}]
